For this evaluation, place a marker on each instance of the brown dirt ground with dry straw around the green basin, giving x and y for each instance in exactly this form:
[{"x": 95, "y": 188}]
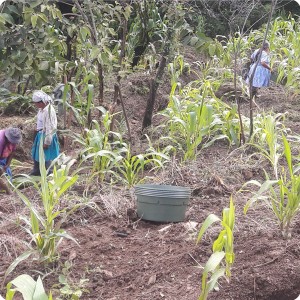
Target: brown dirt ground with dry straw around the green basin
[{"x": 126, "y": 258}]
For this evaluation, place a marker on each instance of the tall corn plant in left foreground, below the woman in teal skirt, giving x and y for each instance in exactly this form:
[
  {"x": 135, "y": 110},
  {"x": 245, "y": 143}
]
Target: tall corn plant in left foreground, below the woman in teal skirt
[{"x": 44, "y": 227}]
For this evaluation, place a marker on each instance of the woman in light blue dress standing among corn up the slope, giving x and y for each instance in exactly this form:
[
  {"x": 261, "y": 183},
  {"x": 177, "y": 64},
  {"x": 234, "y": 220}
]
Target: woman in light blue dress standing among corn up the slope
[{"x": 263, "y": 70}]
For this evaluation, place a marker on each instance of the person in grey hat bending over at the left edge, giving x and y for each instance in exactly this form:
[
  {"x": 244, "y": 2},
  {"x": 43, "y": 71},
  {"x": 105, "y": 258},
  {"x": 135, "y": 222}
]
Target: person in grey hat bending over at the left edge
[{"x": 9, "y": 139}]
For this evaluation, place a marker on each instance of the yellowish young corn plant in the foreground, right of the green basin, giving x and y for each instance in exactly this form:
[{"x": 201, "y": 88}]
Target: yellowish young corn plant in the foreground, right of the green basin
[{"x": 222, "y": 250}]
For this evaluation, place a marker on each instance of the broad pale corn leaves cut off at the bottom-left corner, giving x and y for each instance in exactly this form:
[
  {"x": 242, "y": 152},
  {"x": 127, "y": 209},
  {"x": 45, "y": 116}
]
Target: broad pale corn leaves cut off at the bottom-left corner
[{"x": 28, "y": 287}]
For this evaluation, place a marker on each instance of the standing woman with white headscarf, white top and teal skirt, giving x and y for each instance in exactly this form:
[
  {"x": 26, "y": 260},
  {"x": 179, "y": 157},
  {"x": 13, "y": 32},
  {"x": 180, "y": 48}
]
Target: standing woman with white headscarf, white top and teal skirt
[{"x": 46, "y": 131}]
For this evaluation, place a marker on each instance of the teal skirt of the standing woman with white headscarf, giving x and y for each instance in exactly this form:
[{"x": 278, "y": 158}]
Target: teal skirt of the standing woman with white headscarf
[{"x": 50, "y": 153}]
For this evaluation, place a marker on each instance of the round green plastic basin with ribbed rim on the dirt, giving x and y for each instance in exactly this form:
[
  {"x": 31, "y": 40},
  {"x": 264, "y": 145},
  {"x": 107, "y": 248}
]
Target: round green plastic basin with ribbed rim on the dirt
[{"x": 162, "y": 203}]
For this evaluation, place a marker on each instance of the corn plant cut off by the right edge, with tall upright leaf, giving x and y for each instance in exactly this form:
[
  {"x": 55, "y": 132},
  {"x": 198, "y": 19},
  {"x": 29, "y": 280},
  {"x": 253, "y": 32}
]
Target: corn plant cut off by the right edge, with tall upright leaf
[{"x": 281, "y": 195}]
